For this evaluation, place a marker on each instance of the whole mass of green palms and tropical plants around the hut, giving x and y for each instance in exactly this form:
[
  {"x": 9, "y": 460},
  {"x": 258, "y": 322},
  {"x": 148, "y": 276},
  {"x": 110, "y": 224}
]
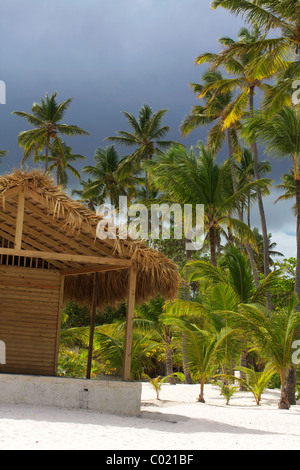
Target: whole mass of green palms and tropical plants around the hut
[{"x": 236, "y": 320}]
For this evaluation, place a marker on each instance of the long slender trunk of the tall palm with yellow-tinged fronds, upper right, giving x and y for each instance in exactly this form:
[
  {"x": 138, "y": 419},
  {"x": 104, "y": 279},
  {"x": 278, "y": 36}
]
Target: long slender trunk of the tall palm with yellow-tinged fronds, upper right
[{"x": 260, "y": 204}]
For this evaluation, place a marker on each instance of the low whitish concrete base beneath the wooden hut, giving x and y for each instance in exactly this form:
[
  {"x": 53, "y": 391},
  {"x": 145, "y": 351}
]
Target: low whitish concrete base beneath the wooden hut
[{"x": 121, "y": 398}]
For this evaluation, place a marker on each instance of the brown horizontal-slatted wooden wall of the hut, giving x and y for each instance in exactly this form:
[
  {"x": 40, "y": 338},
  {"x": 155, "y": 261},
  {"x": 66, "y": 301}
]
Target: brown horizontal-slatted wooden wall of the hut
[{"x": 30, "y": 308}]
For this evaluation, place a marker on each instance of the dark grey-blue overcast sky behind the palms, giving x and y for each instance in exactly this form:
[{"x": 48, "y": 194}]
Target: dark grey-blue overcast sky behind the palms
[{"x": 114, "y": 55}]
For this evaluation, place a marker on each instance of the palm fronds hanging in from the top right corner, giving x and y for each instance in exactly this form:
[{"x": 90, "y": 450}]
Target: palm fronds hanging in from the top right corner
[{"x": 279, "y": 55}]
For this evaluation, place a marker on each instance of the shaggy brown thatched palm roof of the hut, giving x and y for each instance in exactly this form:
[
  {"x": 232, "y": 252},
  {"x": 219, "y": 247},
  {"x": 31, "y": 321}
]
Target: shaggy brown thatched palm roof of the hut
[{"x": 53, "y": 222}]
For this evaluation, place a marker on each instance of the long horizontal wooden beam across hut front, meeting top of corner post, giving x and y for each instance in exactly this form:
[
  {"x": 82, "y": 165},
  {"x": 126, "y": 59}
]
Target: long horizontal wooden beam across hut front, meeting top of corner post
[{"x": 66, "y": 257}]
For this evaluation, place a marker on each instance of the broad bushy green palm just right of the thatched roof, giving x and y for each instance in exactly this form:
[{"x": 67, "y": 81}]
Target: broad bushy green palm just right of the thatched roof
[{"x": 190, "y": 178}]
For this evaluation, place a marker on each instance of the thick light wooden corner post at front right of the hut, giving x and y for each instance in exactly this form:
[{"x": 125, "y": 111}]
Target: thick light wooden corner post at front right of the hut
[{"x": 129, "y": 324}]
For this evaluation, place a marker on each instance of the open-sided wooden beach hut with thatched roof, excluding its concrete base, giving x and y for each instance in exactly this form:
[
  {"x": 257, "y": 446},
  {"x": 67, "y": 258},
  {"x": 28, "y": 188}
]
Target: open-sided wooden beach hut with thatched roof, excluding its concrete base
[{"x": 49, "y": 254}]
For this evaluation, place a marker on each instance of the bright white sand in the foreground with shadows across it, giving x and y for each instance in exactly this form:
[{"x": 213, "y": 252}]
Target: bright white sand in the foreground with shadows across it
[{"x": 176, "y": 422}]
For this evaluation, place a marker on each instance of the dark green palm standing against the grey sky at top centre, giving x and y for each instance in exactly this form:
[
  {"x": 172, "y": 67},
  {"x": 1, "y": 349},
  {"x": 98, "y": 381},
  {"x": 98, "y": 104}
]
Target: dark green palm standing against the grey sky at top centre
[{"x": 147, "y": 134}]
